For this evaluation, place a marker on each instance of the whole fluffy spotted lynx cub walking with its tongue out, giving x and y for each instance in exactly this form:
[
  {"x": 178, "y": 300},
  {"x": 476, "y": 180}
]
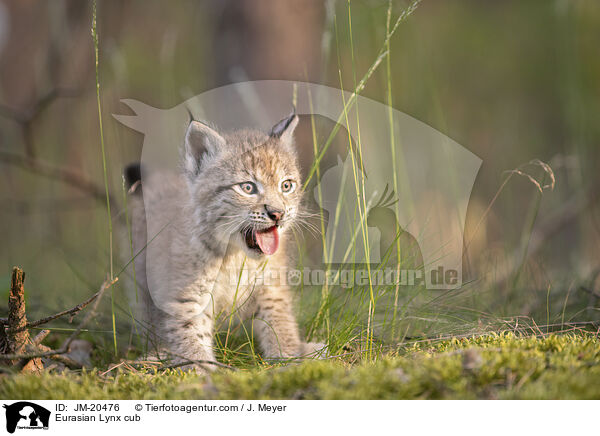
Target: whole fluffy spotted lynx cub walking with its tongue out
[{"x": 243, "y": 188}]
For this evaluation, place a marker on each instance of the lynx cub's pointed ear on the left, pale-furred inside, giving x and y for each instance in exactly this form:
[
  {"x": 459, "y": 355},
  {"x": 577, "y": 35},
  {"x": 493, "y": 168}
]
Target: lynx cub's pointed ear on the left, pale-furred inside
[{"x": 200, "y": 140}]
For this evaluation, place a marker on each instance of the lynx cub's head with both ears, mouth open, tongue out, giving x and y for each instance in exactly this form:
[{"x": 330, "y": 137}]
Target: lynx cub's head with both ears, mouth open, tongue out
[{"x": 245, "y": 186}]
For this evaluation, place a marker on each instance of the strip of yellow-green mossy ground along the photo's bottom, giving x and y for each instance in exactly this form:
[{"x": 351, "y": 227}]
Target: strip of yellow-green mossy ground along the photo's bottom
[{"x": 500, "y": 366}]
